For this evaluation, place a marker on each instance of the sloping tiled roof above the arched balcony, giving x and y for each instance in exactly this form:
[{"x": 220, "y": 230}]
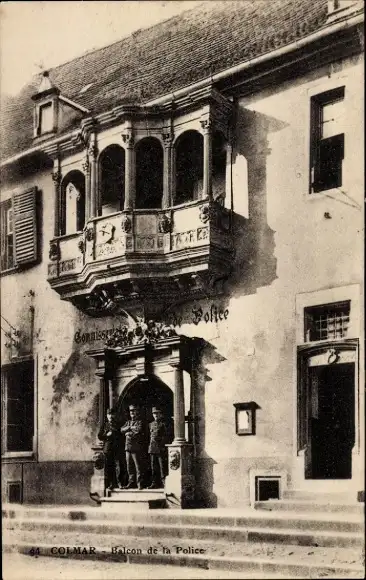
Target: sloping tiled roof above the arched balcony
[{"x": 155, "y": 61}]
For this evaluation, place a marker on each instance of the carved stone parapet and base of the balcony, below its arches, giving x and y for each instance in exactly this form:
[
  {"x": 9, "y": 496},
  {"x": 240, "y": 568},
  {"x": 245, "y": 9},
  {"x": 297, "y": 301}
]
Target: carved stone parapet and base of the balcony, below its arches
[{"x": 143, "y": 255}]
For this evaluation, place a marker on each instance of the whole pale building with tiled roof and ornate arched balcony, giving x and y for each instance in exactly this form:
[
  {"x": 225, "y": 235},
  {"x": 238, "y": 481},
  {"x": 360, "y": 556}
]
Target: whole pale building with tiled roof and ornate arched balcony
[{"x": 182, "y": 223}]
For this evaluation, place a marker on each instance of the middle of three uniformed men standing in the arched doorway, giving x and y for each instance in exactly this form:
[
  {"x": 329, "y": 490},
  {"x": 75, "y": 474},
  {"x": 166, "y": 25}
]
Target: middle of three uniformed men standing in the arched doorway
[{"x": 134, "y": 447}]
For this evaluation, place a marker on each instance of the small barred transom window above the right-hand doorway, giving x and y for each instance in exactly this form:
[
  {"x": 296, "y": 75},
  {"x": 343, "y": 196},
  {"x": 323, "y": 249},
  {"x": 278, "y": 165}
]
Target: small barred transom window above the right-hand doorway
[{"x": 327, "y": 322}]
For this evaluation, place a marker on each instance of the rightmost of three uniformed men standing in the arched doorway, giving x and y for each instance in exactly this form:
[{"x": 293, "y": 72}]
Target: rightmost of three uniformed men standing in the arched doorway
[{"x": 158, "y": 439}]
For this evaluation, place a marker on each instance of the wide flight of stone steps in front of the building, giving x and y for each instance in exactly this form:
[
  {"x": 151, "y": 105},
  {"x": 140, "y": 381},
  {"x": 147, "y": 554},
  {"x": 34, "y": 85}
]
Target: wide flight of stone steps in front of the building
[{"x": 246, "y": 540}]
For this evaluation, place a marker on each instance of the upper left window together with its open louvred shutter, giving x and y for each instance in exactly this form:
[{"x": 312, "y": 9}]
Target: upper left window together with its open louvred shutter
[{"x": 19, "y": 241}]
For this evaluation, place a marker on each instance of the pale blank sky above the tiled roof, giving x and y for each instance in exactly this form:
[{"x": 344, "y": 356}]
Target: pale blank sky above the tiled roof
[{"x": 39, "y": 35}]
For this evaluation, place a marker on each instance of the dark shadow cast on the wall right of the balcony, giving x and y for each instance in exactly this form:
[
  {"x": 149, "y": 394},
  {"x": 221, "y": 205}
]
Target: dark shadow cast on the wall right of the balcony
[{"x": 255, "y": 264}]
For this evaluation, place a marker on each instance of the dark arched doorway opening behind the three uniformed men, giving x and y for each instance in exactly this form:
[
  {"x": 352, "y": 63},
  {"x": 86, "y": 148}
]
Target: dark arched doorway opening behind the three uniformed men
[{"x": 147, "y": 392}]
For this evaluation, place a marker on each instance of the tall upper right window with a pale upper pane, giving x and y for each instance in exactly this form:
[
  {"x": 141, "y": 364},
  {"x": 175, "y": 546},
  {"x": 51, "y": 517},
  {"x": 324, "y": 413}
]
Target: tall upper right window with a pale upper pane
[{"x": 327, "y": 140}]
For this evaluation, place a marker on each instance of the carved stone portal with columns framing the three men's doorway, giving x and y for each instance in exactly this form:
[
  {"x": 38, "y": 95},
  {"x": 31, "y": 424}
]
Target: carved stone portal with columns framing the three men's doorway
[{"x": 151, "y": 352}]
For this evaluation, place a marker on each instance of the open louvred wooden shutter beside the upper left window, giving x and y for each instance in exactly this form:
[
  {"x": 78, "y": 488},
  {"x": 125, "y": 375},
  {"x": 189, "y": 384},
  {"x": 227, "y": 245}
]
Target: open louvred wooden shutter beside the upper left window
[{"x": 25, "y": 227}]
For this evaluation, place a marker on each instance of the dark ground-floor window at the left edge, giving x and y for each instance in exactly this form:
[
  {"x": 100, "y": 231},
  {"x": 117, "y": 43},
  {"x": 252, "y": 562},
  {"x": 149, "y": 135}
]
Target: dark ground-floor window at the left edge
[{"x": 17, "y": 396}]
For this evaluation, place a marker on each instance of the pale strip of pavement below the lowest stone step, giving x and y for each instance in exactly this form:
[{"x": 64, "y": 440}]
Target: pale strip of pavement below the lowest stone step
[{"x": 20, "y": 567}]
